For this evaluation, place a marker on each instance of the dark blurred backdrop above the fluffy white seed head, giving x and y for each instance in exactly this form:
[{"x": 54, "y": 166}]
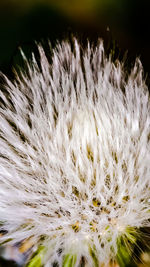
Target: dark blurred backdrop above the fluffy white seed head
[{"x": 123, "y": 24}]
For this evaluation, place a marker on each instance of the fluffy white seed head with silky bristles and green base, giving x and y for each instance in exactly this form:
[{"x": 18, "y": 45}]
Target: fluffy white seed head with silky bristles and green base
[{"x": 74, "y": 158}]
